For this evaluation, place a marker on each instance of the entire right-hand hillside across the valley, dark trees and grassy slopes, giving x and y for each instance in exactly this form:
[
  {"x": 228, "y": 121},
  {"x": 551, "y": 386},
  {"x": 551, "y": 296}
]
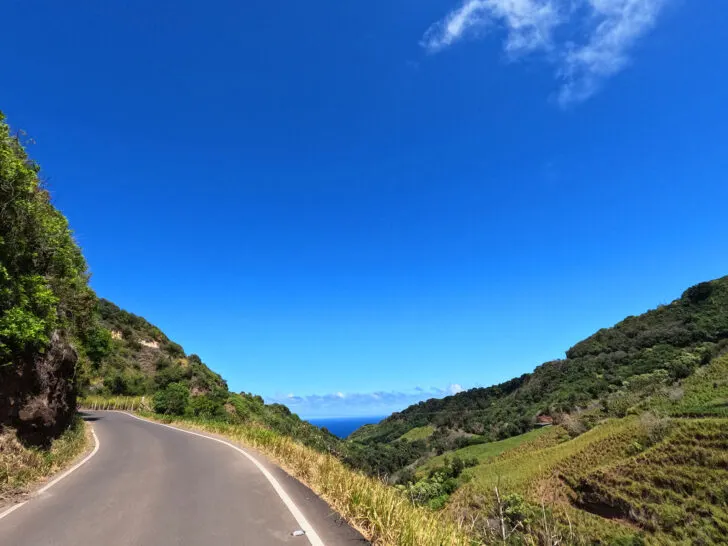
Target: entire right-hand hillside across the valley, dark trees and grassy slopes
[{"x": 625, "y": 441}]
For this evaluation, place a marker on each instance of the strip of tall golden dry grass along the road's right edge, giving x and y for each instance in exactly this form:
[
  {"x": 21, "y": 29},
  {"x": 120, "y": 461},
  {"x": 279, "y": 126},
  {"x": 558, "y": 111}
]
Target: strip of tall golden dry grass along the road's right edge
[{"x": 380, "y": 512}]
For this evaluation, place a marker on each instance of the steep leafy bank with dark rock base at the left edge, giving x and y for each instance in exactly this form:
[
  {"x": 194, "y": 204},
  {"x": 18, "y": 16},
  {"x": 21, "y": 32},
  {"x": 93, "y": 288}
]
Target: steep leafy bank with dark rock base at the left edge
[{"x": 46, "y": 306}]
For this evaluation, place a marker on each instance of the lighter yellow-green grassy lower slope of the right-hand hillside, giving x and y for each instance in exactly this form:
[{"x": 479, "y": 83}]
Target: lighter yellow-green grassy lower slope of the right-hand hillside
[{"x": 653, "y": 476}]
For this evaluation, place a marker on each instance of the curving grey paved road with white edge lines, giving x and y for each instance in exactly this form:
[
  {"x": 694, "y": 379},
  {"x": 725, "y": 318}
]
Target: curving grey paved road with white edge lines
[{"x": 152, "y": 485}]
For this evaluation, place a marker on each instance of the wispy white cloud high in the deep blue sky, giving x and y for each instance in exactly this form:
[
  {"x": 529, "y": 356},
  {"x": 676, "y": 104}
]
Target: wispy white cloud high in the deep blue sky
[{"x": 606, "y": 29}]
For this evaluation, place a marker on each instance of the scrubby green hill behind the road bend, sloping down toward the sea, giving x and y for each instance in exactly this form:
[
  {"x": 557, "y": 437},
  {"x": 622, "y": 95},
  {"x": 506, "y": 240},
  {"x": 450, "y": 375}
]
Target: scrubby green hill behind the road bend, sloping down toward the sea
[{"x": 132, "y": 357}]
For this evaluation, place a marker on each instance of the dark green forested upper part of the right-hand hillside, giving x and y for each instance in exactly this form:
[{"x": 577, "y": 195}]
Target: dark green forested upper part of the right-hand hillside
[{"x": 673, "y": 339}]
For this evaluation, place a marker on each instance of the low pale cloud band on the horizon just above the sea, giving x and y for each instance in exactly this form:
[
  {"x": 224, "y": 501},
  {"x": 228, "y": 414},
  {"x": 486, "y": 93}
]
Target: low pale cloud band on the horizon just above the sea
[{"x": 340, "y": 404}]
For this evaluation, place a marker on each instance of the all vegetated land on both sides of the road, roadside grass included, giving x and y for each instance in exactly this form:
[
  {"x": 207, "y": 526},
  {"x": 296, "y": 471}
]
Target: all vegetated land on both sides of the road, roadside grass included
[{"x": 624, "y": 441}]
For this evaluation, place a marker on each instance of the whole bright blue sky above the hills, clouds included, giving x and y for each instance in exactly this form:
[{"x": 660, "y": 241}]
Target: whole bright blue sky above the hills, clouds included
[{"x": 353, "y": 205}]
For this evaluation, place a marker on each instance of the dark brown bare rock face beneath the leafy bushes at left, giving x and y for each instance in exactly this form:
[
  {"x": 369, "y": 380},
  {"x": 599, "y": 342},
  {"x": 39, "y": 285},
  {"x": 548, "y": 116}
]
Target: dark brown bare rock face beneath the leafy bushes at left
[{"x": 37, "y": 395}]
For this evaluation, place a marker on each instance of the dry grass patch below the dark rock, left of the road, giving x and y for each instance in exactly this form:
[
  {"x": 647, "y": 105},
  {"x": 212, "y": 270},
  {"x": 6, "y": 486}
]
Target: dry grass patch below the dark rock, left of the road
[{"x": 22, "y": 467}]
